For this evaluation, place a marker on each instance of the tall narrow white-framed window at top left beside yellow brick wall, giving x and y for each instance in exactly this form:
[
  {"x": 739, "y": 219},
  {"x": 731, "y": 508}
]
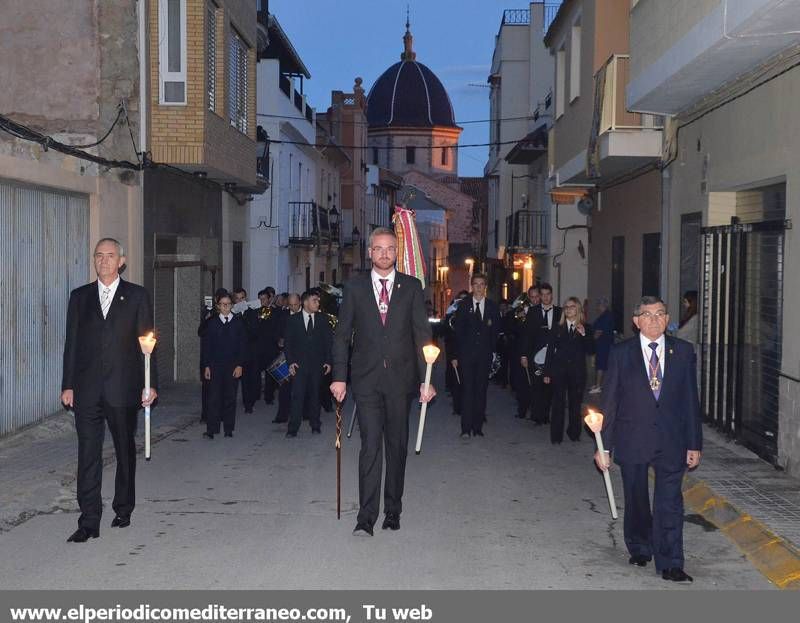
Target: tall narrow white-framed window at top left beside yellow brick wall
[{"x": 172, "y": 52}]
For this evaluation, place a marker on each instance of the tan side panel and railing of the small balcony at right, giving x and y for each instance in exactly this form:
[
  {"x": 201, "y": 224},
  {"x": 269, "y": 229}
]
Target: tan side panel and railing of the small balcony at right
[{"x": 610, "y": 81}]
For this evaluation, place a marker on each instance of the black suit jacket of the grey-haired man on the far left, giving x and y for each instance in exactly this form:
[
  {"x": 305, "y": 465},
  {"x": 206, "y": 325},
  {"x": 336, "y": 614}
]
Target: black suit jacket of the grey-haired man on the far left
[{"x": 102, "y": 357}]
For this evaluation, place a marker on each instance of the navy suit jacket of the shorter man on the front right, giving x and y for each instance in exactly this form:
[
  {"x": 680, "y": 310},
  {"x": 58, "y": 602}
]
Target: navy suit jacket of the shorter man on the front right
[{"x": 636, "y": 427}]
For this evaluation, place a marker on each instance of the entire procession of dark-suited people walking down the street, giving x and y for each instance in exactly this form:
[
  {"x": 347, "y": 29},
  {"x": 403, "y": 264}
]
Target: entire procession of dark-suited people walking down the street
[{"x": 371, "y": 345}]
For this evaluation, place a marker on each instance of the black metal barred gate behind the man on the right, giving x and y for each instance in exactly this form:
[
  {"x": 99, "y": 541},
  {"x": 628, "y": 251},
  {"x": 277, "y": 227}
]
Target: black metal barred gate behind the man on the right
[{"x": 741, "y": 331}]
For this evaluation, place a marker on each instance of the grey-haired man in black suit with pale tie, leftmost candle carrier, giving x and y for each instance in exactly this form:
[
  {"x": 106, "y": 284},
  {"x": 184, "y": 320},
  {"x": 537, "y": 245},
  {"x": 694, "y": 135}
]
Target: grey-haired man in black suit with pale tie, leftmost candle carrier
[{"x": 103, "y": 382}]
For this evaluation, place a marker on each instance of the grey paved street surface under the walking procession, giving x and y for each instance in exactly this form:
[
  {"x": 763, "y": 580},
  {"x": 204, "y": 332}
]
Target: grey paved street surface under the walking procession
[{"x": 508, "y": 511}]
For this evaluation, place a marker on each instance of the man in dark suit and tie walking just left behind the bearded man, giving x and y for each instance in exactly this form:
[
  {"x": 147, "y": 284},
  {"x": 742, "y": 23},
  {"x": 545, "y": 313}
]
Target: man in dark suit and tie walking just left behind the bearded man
[{"x": 308, "y": 353}]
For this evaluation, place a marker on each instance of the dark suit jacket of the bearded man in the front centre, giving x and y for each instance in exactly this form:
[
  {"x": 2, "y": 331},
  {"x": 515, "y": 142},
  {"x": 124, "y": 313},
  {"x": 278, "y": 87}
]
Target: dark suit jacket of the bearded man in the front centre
[{"x": 398, "y": 345}]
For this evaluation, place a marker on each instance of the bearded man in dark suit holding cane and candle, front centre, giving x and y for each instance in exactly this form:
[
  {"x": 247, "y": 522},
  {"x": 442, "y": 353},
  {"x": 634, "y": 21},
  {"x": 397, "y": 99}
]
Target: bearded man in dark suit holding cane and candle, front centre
[{"x": 383, "y": 316}]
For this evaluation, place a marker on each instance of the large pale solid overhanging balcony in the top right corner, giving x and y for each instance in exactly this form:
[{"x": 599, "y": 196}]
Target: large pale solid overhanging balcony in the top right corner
[{"x": 684, "y": 49}]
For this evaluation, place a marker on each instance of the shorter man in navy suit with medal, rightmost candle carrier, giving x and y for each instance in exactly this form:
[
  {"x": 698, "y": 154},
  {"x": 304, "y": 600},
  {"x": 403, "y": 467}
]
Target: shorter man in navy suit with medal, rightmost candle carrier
[{"x": 652, "y": 419}]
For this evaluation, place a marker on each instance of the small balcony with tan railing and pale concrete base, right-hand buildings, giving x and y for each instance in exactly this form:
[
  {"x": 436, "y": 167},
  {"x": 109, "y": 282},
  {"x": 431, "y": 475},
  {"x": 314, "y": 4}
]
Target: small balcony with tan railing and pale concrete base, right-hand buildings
[{"x": 621, "y": 141}]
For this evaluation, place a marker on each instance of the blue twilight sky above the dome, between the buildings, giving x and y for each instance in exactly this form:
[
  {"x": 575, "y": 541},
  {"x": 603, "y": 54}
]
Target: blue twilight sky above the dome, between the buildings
[{"x": 341, "y": 39}]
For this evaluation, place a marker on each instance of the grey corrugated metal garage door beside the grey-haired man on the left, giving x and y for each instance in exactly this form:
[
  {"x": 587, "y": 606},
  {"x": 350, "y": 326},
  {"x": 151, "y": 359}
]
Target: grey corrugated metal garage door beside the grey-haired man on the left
[{"x": 44, "y": 253}]
